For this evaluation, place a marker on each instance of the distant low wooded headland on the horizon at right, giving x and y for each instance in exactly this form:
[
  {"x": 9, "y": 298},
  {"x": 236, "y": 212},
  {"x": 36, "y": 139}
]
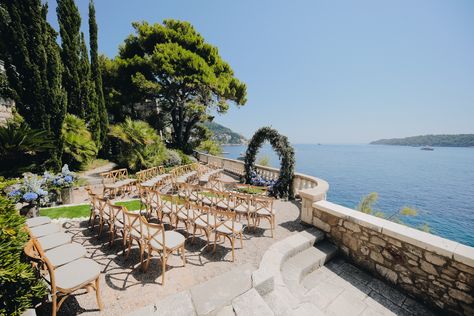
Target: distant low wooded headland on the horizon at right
[{"x": 458, "y": 140}]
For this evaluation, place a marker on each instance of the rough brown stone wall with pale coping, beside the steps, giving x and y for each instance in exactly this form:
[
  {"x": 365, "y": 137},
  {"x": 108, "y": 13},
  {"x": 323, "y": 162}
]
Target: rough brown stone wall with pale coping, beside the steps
[{"x": 435, "y": 270}]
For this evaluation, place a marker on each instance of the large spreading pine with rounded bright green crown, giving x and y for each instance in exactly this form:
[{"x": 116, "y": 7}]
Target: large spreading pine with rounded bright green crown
[{"x": 172, "y": 64}]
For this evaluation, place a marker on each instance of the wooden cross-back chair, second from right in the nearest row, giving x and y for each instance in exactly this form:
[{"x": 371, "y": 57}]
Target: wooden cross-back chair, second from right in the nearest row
[{"x": 225, "y": 225}]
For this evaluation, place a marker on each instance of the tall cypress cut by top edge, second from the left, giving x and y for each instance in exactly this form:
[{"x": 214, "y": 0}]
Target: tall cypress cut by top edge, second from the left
[{"x": 69, "y": 25}]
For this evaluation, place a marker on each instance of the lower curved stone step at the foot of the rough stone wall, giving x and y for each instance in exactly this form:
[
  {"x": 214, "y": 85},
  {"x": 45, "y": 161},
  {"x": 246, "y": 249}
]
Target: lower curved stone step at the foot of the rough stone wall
[{"x": 305, "y": 262}]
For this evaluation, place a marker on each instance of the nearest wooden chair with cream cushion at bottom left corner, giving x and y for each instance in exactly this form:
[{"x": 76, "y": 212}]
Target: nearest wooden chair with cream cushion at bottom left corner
[{"x": 65, "y": 280}]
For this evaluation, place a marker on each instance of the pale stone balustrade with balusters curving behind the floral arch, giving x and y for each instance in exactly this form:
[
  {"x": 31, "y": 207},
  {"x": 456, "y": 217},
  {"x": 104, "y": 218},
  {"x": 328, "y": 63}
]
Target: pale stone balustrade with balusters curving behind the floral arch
[{"x": 303, "y": 185}]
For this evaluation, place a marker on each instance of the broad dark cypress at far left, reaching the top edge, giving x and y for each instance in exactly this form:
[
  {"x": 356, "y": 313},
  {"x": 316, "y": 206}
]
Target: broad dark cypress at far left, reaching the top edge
[{"x": 31, "y": 56}]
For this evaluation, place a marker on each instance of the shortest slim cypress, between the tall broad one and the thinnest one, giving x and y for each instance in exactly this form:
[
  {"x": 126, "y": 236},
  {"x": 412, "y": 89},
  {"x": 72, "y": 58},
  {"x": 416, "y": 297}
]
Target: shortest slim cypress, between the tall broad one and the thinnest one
[{"x": 87, "y": 93}]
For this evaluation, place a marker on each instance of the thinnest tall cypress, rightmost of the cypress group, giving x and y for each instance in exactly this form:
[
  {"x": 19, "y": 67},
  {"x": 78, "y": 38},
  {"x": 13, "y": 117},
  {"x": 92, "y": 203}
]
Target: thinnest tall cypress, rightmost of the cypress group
[{"x": 96, "y": 74}]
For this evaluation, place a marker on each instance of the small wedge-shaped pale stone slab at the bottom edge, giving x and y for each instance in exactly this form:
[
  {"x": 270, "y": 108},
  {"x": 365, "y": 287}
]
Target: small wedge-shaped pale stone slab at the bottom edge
[{"x": 251, "y": 304}]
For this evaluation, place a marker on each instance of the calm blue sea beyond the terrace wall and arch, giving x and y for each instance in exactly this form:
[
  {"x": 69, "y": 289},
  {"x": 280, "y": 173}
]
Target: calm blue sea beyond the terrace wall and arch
[{"x": 439, "y": 184}]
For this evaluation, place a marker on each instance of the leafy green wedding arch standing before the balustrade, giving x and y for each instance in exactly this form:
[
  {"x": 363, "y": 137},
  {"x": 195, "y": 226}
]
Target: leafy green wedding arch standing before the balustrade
[{"x": 284, "y": 186}]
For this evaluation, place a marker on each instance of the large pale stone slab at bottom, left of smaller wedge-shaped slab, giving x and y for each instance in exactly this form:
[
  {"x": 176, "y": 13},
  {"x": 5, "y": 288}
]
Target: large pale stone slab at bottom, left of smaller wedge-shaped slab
[{"x": 211, "y": 296}]
